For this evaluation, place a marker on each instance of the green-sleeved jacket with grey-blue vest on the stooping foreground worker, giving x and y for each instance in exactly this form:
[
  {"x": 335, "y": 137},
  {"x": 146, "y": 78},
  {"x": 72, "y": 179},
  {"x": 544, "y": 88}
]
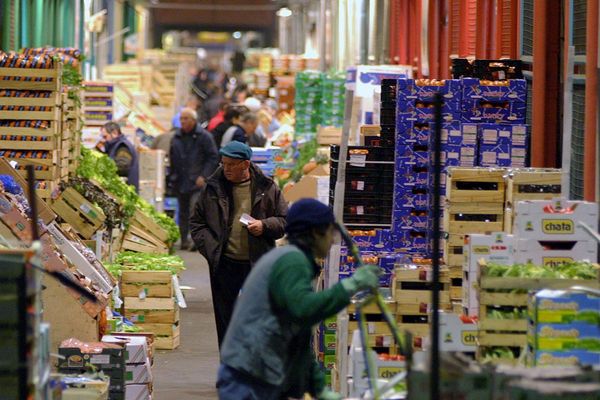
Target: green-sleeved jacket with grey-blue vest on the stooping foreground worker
[{"x": 271, "y": 328}]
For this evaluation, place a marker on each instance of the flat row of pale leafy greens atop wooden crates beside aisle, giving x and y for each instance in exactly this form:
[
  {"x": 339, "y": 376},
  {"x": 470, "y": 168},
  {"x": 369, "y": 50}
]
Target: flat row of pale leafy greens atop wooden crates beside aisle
[{"x": 145, "y": 262}]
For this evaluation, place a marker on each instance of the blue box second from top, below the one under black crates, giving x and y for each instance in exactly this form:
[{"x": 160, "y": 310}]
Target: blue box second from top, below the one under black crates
[{"x": 484, "y": 111}]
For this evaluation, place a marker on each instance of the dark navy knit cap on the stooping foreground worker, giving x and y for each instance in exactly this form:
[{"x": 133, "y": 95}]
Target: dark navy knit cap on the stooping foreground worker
[{"x": 306, "y": 213}]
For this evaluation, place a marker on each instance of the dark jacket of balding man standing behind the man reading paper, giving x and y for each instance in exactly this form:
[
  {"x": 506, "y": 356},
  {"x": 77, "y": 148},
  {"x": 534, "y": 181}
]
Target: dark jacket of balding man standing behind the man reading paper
[{"x": 191, "y": 157}]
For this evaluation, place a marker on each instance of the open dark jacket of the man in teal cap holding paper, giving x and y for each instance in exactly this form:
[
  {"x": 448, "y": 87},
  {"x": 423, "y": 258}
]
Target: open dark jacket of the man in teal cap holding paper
[{"x": 211, "y": 221}]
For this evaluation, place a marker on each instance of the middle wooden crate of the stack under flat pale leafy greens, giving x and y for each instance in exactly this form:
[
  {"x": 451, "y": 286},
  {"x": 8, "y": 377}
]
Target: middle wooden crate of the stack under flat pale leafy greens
[{"x": 152, "y": 310}]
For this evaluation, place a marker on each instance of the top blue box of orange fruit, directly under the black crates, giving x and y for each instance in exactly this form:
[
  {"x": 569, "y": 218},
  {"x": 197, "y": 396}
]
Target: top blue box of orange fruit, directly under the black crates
[{"x": 512, "y": 90}]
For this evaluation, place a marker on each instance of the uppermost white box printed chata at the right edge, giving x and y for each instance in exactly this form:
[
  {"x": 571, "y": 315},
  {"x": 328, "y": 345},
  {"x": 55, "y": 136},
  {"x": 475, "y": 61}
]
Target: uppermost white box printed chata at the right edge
[{"x": 554, "y": 220}]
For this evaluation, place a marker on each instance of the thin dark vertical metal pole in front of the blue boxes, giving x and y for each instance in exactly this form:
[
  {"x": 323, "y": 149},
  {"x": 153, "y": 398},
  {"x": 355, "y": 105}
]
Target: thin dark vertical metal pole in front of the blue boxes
[{"x": 436, "y": 254}]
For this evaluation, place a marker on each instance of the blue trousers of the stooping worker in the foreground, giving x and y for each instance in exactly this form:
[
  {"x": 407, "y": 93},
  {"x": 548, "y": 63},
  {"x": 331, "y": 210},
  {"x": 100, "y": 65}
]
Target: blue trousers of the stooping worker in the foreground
[{"x": 234, "y": 385}]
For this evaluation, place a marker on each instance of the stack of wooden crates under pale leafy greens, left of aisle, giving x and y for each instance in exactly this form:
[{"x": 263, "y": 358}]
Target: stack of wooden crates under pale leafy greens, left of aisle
[{"x": 149, "y": 302}]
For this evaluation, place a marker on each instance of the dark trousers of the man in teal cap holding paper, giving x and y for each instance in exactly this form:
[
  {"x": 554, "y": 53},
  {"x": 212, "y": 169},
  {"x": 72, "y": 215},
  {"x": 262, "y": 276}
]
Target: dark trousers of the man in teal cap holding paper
[{"x": 226, "y": 280}]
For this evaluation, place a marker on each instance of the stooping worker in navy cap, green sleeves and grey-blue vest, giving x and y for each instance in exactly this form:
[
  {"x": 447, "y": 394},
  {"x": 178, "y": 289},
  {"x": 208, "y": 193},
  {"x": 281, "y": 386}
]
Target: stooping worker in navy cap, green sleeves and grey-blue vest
[{"x": 267, "y": 351}]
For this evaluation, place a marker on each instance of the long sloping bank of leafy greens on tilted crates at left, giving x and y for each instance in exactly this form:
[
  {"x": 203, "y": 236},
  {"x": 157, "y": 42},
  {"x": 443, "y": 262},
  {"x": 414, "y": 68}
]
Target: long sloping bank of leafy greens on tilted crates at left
[{"x": 100, "y": 168}]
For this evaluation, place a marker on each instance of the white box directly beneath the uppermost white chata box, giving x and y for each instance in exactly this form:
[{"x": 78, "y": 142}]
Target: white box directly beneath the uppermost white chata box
[{"x": 532, "y": 251}]
